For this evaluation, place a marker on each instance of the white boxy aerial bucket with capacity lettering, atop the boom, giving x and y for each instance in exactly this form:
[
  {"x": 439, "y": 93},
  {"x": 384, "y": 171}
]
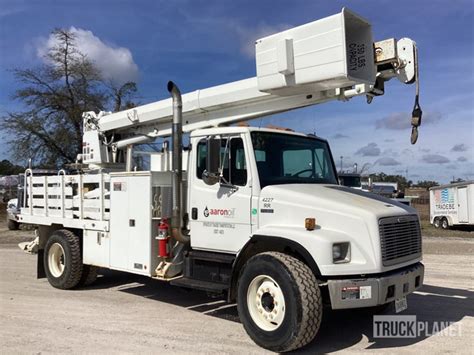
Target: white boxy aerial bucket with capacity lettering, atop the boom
[{"x": 336, "y": 51}]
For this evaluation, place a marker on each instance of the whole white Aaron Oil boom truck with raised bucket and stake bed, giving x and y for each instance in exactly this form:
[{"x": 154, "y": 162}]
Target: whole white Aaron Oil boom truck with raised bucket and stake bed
[{"x": 254, "y": 213}]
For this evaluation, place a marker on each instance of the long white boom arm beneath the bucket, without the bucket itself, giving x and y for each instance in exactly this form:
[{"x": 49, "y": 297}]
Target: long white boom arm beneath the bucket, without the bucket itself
[{"x": 216, "y": 106}]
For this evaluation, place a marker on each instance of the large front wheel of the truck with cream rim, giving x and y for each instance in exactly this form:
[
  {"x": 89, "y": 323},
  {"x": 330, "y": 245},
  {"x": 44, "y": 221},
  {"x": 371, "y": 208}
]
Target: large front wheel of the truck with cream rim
[{"x": 279, "y": 302}]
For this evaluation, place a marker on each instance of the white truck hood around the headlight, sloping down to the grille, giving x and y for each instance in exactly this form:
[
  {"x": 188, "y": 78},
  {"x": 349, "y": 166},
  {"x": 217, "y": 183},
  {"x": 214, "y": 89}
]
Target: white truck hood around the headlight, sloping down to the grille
[{"x": 342, "y": 215}]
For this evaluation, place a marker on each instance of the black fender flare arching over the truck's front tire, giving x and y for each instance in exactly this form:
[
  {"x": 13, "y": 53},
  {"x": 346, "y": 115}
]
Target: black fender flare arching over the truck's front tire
[{"x": 262, "y": 243}]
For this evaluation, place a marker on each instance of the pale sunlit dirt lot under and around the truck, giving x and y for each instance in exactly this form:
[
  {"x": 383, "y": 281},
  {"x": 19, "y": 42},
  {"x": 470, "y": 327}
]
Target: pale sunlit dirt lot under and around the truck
[{"x": 126, "y": 313}]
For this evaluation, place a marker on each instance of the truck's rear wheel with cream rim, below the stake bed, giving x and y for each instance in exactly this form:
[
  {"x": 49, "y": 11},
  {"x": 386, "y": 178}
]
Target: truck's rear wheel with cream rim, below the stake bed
[{"x": 63, "y": 259}]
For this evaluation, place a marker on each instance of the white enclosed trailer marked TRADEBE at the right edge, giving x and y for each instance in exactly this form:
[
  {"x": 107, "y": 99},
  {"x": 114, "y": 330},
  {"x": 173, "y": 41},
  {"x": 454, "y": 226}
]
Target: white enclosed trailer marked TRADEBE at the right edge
[{"x": 452, "y": 205}]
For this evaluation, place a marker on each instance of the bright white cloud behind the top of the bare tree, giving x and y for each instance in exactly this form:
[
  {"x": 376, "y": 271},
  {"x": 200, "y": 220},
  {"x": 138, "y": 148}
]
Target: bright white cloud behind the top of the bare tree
[{"x": 116, "y": 64}]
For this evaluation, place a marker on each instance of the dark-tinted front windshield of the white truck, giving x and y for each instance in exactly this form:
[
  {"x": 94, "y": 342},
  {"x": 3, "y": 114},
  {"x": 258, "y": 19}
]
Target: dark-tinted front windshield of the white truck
[{"x": 288, "y": 159}]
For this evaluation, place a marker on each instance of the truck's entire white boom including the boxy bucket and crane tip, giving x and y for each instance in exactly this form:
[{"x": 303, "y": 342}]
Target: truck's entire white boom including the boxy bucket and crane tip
[{"x": 293, "y": 70}]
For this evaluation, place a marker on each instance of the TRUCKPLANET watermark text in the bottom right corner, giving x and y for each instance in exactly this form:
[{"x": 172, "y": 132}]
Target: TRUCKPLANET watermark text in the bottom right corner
[{"x": 409, "y": 327}]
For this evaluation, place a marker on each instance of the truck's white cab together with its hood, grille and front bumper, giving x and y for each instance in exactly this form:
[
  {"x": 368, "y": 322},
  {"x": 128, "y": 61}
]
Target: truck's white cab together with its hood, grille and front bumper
[{"x": 278, "y": 189}]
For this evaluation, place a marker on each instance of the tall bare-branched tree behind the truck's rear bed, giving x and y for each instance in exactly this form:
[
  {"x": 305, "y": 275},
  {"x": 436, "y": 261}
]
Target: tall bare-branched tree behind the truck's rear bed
[{"x": 55, "y": 95}]
